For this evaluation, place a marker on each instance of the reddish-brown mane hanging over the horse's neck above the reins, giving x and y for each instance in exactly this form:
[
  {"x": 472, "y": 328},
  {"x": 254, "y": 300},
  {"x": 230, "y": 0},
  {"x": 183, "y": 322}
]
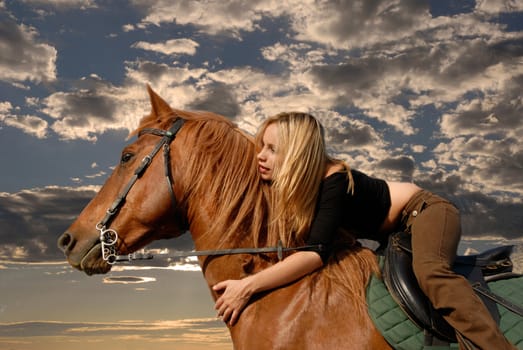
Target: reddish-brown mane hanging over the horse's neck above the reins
[{"x": 223, "y": 167}]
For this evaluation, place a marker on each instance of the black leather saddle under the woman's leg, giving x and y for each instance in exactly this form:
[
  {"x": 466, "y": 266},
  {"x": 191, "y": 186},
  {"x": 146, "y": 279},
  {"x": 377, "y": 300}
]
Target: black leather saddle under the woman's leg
[{"x": 479, "y": 269}]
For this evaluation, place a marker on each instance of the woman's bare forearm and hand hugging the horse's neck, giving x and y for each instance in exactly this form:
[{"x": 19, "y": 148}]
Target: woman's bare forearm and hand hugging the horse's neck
[{"x": 236, "y": 293}]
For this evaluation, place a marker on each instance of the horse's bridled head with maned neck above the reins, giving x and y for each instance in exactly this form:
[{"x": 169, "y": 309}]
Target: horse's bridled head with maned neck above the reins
[{"x": 209, "y": 164}]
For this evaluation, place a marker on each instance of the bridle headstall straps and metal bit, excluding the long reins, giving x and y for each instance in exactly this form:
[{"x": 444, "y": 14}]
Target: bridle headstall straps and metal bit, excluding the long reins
[{"x": 109, "y": 237}]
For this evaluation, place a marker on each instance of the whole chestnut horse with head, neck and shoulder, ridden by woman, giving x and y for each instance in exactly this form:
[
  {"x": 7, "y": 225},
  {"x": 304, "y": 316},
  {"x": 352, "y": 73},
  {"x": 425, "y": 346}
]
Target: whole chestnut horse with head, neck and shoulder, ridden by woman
[{"x": 217, "y": 194}]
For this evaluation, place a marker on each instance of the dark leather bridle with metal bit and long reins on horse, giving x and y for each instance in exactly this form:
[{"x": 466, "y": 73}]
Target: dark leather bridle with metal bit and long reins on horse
[{"x": 109, "y": 236}]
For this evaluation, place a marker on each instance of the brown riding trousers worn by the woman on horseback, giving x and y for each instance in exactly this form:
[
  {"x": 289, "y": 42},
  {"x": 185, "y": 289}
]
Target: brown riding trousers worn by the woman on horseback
[{"x": 436, "y": 230}]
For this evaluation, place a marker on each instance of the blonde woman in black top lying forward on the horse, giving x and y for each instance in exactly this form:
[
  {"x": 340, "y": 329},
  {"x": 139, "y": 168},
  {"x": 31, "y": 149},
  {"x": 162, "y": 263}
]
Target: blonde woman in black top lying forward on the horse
[{"x": 314, "y": 195}]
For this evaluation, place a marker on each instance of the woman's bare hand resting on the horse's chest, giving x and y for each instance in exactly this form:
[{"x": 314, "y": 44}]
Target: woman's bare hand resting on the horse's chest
[{"x": 235, "y": 296}]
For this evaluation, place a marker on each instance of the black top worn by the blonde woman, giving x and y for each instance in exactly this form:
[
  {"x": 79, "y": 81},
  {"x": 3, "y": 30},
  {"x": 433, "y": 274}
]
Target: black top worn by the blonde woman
[{"x": 362, "y": 212}]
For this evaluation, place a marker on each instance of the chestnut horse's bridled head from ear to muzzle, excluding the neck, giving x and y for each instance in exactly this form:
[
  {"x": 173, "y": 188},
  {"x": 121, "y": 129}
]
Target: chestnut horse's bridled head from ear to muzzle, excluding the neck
[{"x": 136, "y": 202}]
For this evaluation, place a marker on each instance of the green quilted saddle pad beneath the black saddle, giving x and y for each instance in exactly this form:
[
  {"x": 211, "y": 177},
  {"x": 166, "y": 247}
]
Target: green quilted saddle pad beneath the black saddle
[{"x": 403, "y": 334}]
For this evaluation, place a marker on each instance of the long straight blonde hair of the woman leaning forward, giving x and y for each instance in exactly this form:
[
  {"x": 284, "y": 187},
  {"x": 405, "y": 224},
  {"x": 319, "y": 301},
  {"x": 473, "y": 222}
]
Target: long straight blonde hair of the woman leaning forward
[{"x": 297, "y": 175}]
